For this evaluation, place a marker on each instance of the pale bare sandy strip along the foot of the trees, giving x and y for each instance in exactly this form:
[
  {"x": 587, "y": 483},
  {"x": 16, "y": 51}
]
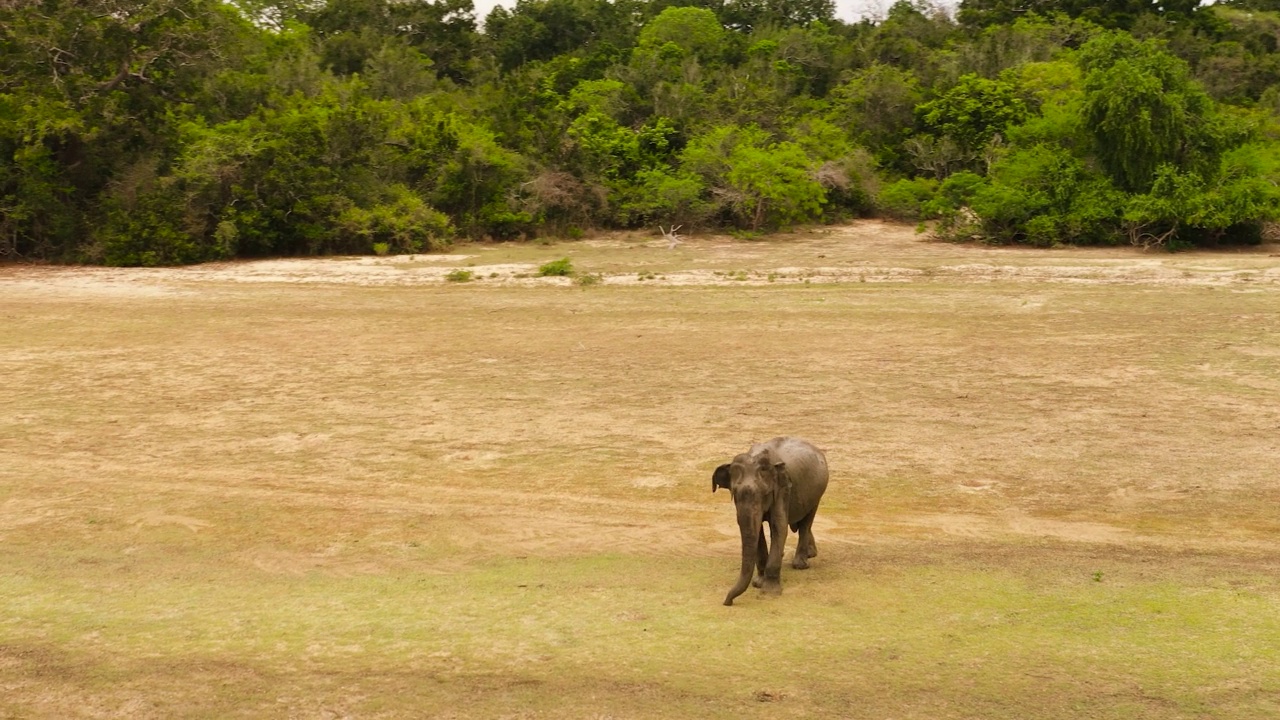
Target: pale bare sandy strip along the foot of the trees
[{"x": 862, "y": 252}]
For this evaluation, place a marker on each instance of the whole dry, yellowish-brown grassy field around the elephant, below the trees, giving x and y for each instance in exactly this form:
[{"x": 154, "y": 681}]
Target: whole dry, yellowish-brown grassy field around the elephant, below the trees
[{"x": 351, "y": 489}]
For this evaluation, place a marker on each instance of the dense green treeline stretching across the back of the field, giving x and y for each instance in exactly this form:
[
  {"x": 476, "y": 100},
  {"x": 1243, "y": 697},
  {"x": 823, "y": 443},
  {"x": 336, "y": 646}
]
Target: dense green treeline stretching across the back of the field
[{"x": 143, "y": 133}]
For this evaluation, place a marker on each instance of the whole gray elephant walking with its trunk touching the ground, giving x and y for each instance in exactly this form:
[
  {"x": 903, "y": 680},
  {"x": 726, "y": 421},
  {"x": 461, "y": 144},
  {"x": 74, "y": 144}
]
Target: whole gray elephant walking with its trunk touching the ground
[{"x": 779, "y": 482}]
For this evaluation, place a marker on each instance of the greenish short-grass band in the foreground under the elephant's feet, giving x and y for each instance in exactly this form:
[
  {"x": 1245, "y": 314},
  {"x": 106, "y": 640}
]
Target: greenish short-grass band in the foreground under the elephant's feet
[{"x": 996, "y": 642}]
